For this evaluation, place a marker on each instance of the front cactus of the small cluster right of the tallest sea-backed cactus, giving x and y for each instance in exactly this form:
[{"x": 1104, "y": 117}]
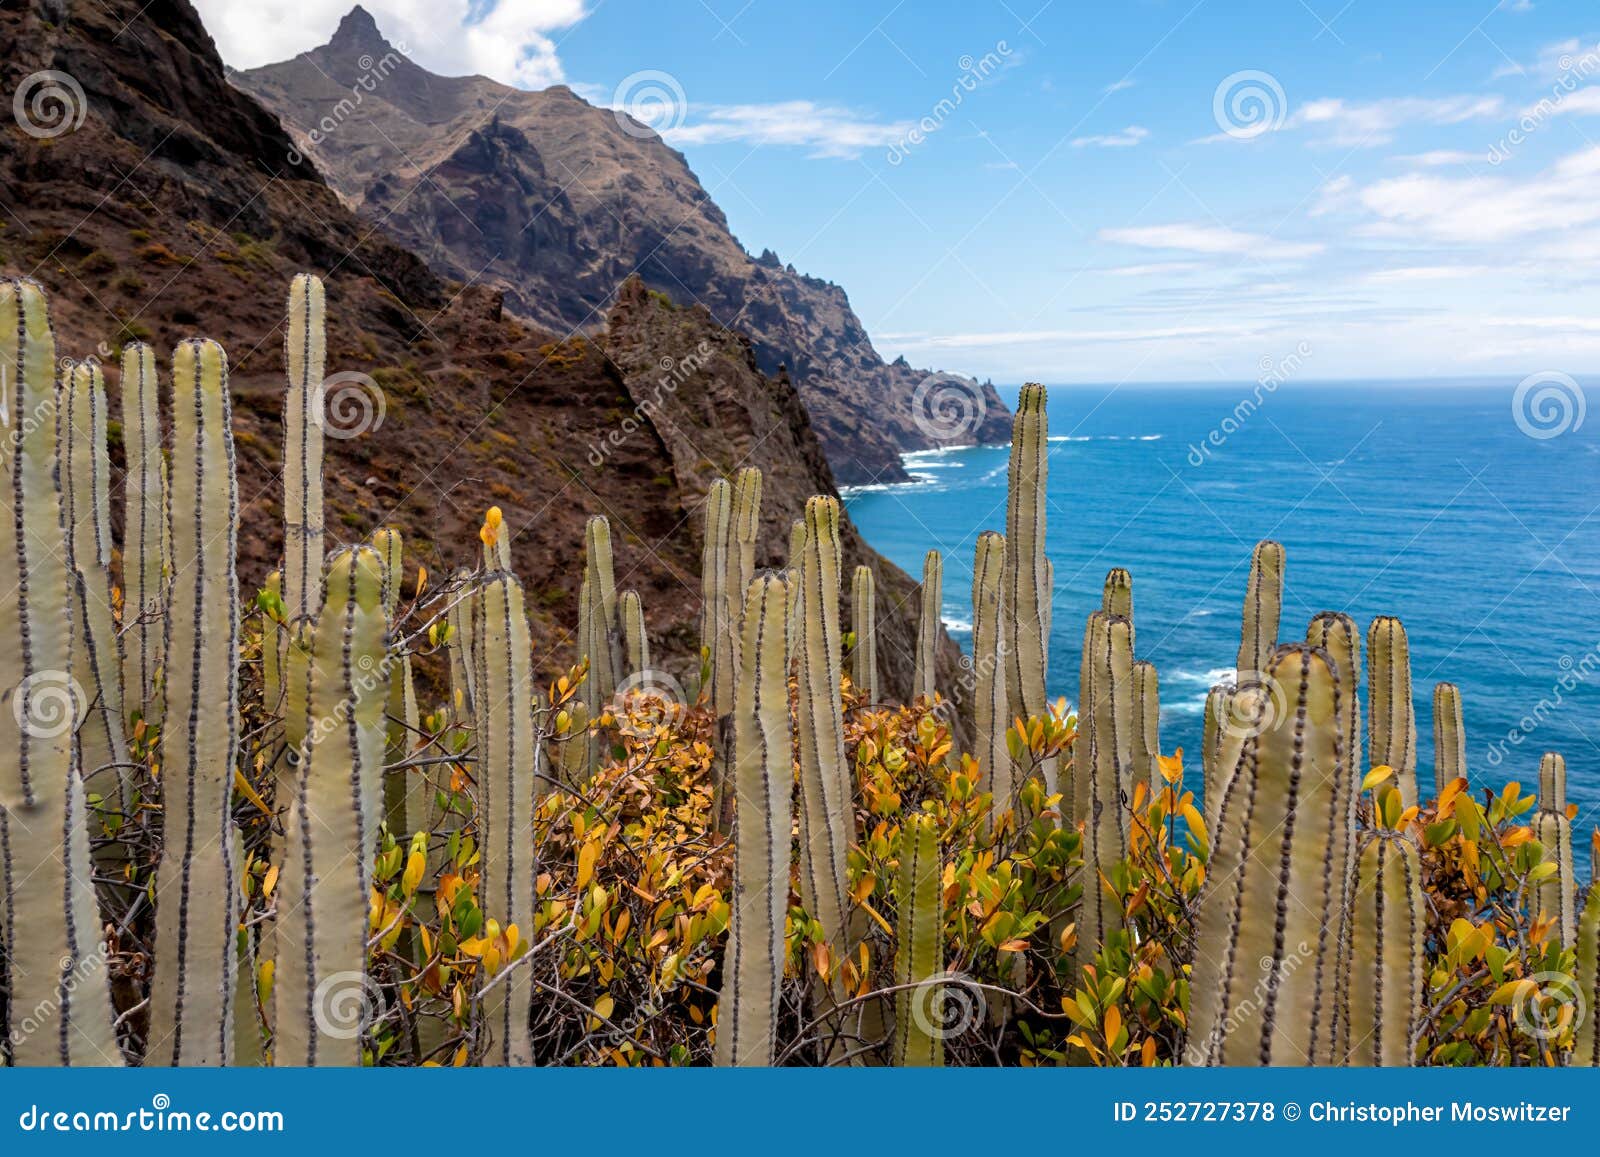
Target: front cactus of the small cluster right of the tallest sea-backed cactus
[{"x": 1103, "y": 772}]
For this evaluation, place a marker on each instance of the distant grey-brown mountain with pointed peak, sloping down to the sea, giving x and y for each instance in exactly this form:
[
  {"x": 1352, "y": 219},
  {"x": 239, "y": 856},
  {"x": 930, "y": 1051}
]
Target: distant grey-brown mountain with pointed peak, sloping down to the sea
[{"x": 558, "y": 202}]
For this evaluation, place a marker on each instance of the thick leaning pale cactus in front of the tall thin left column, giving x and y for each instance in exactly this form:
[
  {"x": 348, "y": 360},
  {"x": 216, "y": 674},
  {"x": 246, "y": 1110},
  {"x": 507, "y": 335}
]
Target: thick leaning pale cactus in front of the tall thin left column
[{"x": 322, "y": 993}]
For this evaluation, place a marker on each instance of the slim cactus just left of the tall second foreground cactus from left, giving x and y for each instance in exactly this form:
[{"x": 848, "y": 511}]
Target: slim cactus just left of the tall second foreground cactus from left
[{"x": 145, "y": 535}]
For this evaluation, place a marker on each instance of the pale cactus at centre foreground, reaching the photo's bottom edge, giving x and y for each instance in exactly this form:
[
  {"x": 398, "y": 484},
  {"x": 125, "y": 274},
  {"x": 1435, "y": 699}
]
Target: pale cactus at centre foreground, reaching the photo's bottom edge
[{"x": 754, "y": 966}]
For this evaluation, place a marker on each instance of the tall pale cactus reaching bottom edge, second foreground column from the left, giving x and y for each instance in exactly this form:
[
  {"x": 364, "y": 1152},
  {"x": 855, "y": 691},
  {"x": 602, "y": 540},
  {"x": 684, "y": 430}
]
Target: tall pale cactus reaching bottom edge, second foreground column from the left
[{"x": 198, "y": 881}]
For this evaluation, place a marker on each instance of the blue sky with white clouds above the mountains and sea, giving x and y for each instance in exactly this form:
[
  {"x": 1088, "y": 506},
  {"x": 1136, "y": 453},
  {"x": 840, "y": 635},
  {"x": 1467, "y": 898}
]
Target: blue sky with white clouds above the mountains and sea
[{"x": 1143, "y": 191}]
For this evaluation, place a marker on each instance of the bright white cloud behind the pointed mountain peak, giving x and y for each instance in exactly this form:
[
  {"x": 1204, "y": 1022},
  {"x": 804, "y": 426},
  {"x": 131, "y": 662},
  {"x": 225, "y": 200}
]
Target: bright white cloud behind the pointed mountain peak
[{"x": 508, "y": 39}]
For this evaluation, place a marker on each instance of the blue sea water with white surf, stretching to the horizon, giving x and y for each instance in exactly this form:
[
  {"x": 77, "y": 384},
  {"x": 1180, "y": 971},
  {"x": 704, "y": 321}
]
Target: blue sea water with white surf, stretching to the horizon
[{"x": 1460, "y": 506}]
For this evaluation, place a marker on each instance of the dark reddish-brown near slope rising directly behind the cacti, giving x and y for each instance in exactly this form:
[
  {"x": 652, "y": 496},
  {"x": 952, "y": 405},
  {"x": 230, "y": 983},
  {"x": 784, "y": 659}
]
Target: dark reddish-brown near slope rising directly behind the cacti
[{"x": 177, "y": 206}]
